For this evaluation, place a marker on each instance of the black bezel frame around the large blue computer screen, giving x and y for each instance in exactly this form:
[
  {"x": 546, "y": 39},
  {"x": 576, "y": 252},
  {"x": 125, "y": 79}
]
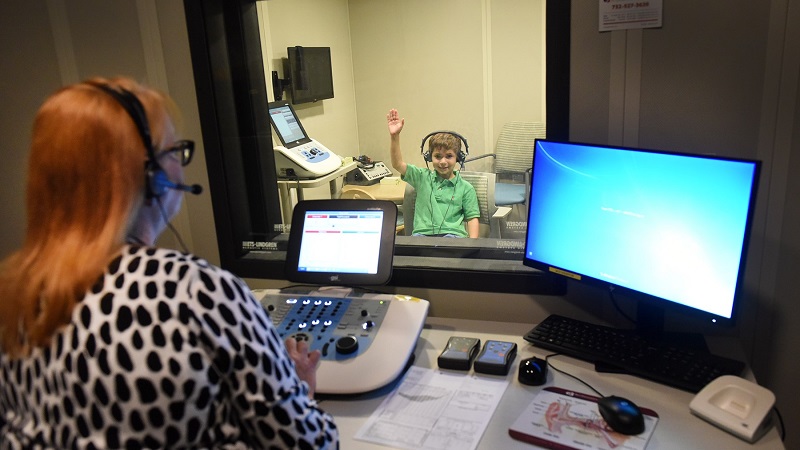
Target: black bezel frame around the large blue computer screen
[{"x": 650, "y": 308}]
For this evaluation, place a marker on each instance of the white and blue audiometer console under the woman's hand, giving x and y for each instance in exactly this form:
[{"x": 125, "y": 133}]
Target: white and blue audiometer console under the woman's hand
[{"x": 366, "y": 340}]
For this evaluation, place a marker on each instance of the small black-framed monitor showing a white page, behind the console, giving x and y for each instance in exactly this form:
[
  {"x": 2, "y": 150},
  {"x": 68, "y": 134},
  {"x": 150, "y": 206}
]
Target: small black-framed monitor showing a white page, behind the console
[{"x": 342, "y": 242}]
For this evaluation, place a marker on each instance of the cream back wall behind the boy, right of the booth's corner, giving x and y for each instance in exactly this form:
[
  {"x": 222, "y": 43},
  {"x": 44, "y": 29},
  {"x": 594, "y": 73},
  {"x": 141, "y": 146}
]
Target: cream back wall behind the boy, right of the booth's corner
[{"x": 467, "y": 66}]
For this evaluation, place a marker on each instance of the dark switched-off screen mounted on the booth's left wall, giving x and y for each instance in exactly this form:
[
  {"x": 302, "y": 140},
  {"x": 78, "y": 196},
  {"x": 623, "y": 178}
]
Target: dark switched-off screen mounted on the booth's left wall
[{"x": 311, "y": 73}]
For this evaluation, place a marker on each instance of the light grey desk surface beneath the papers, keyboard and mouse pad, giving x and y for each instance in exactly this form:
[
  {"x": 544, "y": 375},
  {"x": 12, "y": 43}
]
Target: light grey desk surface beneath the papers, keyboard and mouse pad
[{"x": 677, "y": 427}]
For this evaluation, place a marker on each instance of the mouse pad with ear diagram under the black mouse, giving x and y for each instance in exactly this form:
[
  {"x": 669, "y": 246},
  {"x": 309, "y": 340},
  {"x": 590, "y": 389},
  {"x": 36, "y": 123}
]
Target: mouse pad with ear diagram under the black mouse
[{"x": 562, "y": 419}]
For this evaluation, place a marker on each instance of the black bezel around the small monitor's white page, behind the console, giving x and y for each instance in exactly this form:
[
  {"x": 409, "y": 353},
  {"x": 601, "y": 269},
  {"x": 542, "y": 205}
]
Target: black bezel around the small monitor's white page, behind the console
[{"x": 385, "y": 253}]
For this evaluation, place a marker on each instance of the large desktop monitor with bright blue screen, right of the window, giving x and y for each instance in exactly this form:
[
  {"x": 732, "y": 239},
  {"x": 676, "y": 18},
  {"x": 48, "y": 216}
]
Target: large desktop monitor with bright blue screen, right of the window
[{"x": 668, "y": 225}]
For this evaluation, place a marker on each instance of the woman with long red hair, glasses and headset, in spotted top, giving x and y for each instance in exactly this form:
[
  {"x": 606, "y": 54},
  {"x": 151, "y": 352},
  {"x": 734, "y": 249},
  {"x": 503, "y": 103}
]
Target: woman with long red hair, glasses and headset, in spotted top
[{"x": 107, "y": 341}]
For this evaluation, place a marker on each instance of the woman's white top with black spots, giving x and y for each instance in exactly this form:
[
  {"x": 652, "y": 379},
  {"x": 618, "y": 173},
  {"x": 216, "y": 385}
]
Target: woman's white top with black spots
[{"x": 166, "y": 351}]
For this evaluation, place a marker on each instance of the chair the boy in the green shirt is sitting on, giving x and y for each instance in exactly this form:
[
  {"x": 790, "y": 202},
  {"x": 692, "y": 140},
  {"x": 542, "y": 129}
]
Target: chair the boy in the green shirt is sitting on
[{"x": 492, "y": 216}]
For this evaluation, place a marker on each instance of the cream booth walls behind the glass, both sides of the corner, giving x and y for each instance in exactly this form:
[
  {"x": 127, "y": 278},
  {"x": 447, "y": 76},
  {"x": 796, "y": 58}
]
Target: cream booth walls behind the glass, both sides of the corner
[{"x": 467, "y": 66}]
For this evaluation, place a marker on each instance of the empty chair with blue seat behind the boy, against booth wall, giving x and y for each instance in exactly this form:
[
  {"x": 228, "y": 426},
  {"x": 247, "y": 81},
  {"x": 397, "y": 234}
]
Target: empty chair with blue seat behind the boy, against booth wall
[{"x": 513, "y": 157}]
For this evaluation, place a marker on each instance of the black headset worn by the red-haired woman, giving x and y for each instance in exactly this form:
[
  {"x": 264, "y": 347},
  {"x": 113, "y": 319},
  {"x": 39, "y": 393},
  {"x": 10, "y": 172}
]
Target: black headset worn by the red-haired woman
[{"x": 156, "y": 181}]
